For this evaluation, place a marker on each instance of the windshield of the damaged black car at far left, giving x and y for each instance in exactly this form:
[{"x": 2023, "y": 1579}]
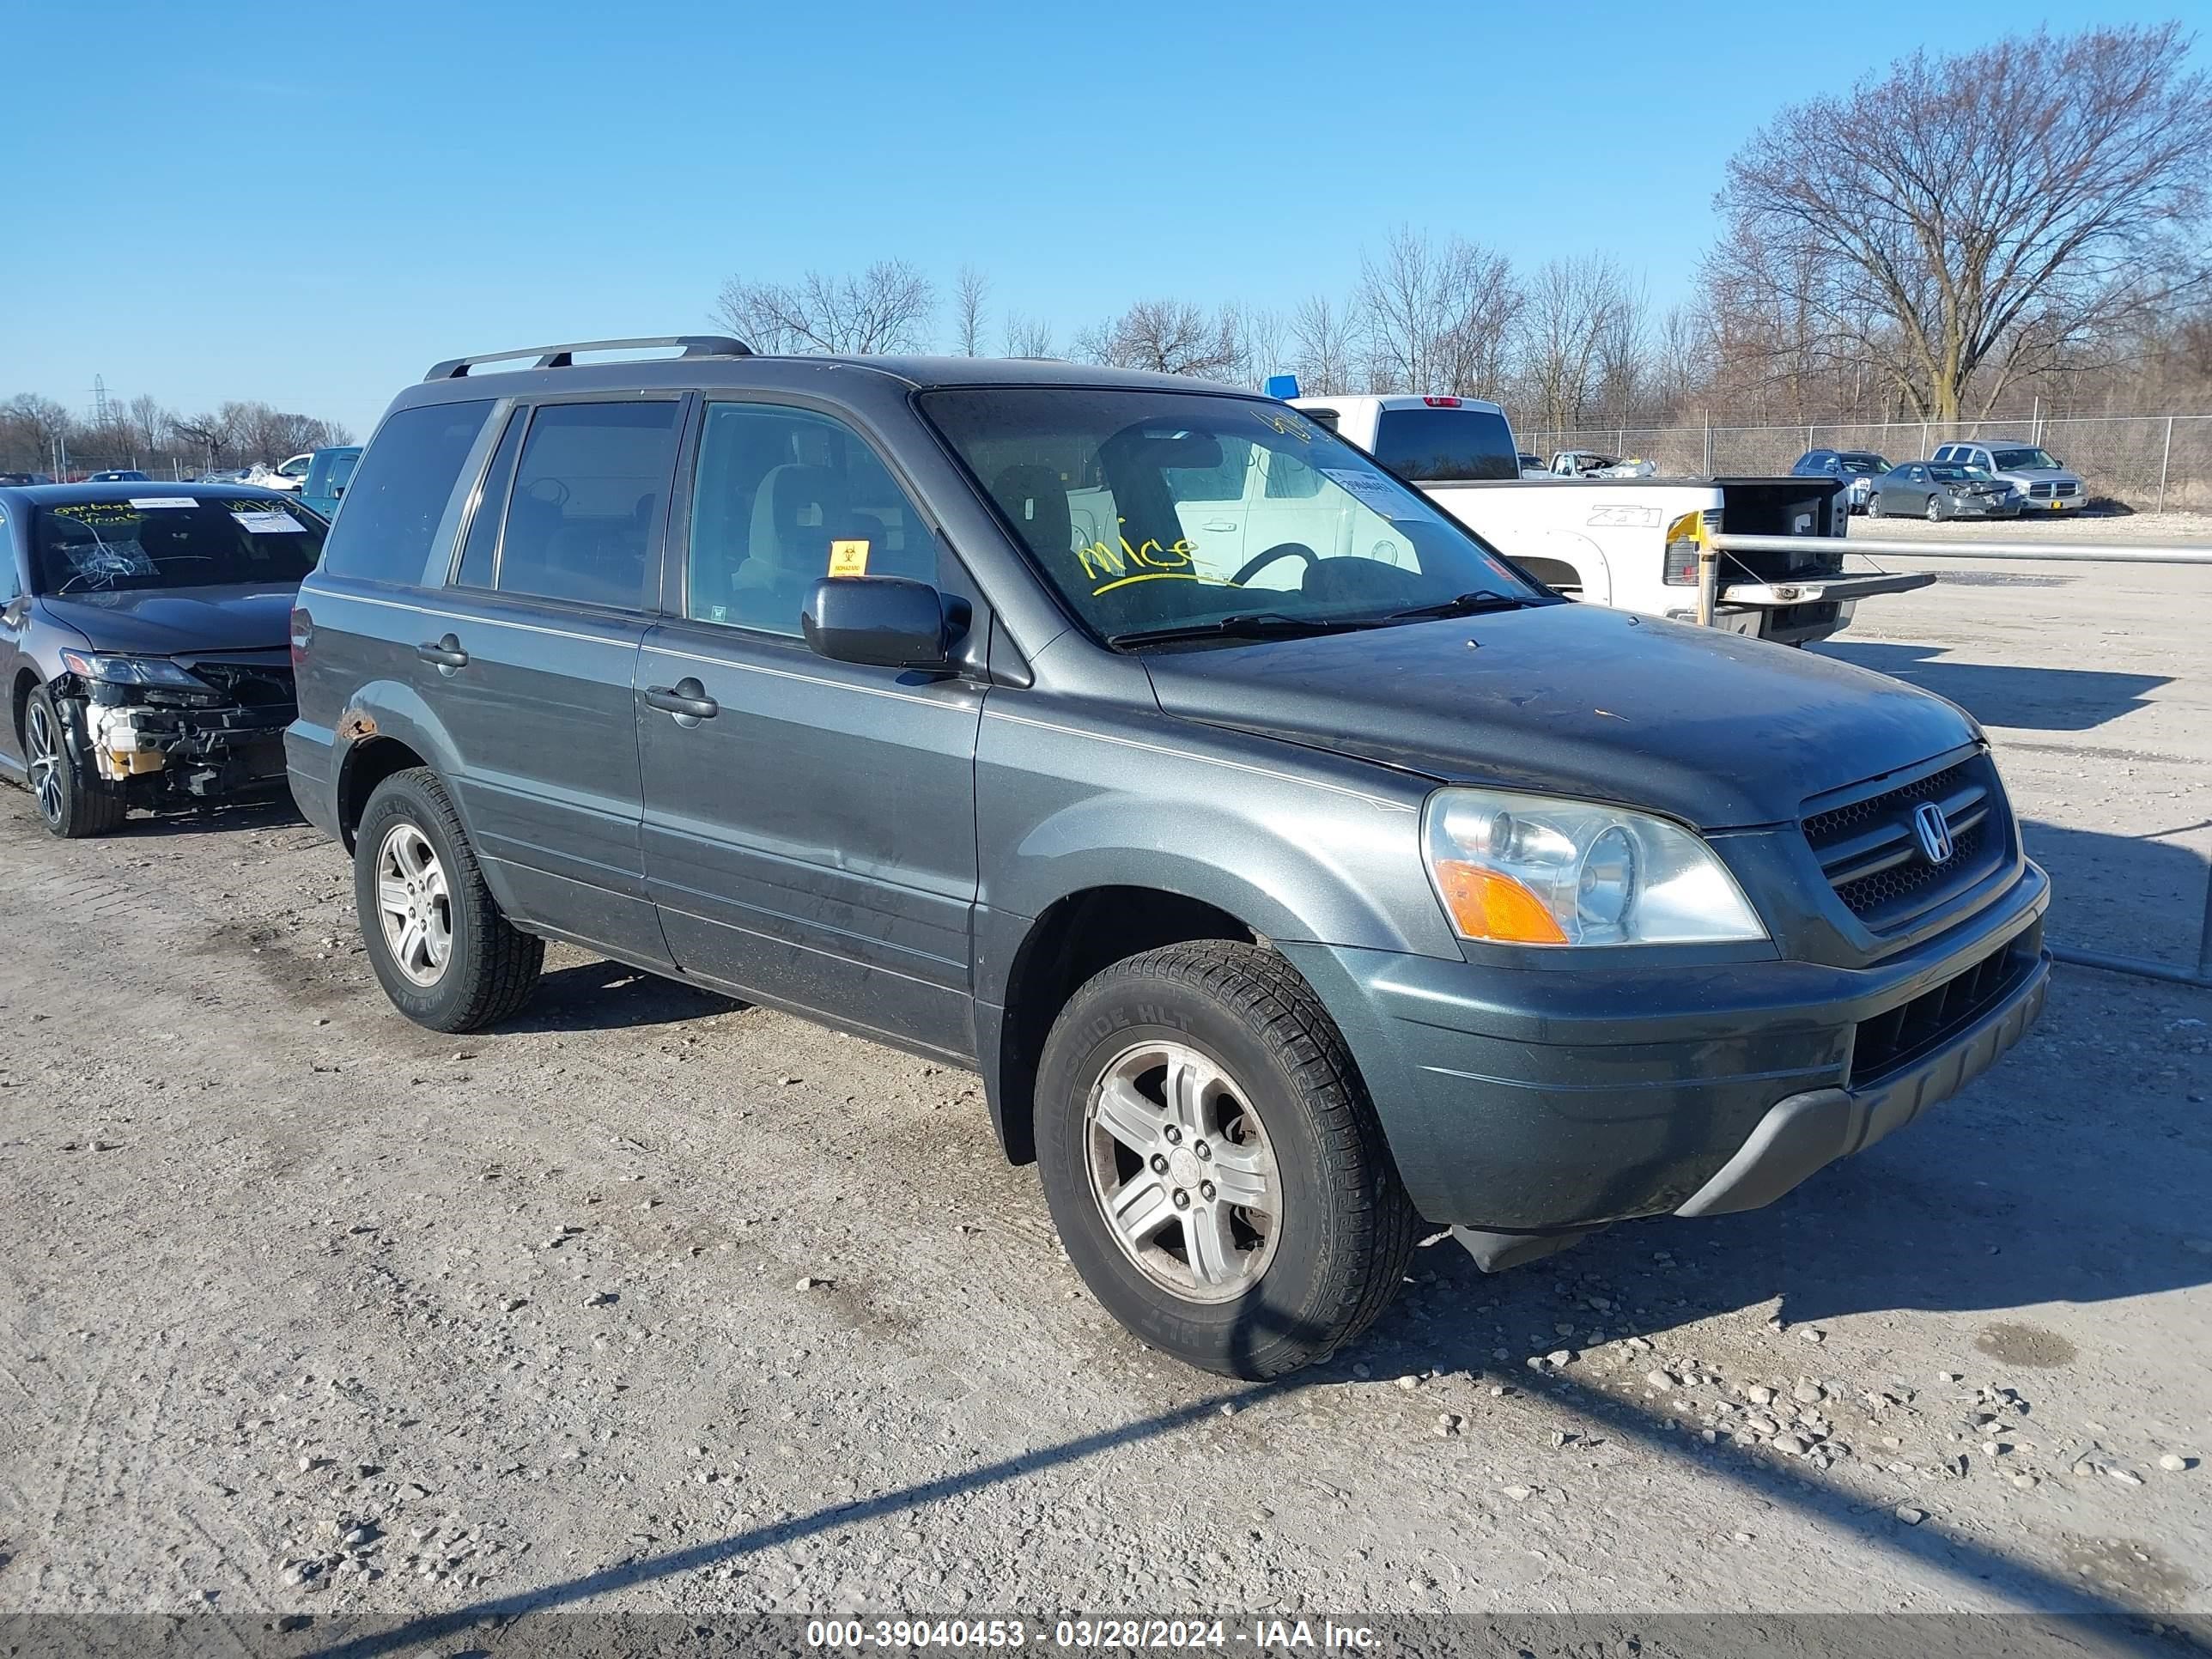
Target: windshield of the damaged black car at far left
[{"x": 171, "y": 543}]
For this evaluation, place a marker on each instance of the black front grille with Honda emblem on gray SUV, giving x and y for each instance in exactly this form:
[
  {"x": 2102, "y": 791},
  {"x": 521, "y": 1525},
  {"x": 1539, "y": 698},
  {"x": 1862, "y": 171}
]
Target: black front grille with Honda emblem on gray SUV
[{"x": 1870, "y": 848}]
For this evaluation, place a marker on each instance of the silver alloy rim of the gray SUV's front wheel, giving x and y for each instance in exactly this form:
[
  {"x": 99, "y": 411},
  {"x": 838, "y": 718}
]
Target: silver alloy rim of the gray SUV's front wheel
[{"x": 1182, "y": 1171}]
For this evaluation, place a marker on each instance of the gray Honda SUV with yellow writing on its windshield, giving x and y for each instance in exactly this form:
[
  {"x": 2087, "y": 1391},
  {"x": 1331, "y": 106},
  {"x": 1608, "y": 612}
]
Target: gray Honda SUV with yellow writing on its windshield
[{"x": 1293, "y": 868}]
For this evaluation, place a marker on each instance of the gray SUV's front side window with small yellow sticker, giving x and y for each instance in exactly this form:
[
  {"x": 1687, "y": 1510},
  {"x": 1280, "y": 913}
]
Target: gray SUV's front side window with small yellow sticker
[{"x": 786, "y": 499}]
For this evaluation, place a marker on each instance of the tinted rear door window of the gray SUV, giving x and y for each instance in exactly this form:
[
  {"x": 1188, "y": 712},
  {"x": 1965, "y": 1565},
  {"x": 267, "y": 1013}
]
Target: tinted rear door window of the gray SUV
[{"x": 589, "y": 497}]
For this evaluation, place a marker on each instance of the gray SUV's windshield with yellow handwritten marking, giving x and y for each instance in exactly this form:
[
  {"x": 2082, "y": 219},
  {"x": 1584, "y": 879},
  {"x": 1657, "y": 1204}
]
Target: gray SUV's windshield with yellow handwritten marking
[{"x": 1171, "y": 510}]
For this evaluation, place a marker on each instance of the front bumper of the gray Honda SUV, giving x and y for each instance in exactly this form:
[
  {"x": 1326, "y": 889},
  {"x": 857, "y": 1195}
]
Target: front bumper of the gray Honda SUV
[{"x": 1558, "y": 1100}]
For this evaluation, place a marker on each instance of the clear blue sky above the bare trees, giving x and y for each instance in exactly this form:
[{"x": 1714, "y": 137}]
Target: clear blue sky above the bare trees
[{"x": 302, "y": 211}]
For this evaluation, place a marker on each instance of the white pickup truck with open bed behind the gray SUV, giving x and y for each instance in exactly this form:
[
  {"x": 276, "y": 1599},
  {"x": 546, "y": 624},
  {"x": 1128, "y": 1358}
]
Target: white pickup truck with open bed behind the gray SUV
[{"x": 1627, "y": 543}]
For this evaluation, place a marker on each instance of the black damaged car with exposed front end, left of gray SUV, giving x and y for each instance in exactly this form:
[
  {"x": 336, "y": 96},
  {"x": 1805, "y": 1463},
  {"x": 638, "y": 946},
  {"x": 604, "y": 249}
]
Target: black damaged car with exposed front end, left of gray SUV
[{"x": 145, "y": 645}]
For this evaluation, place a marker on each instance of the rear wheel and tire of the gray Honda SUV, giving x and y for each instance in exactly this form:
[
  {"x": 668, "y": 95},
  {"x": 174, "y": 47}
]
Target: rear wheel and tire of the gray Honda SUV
[{"x": 486, "y": 968}]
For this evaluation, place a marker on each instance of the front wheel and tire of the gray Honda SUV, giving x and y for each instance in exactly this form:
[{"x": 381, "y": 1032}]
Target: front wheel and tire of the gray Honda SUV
[{"x": 1293, "y": 1286}]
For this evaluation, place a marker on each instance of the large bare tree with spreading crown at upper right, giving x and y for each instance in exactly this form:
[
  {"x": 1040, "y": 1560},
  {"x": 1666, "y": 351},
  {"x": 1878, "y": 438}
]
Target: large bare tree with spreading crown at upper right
[{"x": 1968, "y": 218}]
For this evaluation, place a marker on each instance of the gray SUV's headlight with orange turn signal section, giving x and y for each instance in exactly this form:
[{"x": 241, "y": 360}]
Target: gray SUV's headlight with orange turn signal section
[{"x": 1532, "y": 870}]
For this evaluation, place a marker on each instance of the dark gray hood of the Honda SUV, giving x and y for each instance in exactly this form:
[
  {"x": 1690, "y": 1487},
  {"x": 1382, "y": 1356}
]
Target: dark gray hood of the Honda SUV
[{"x": 1576, "y": 700}]
